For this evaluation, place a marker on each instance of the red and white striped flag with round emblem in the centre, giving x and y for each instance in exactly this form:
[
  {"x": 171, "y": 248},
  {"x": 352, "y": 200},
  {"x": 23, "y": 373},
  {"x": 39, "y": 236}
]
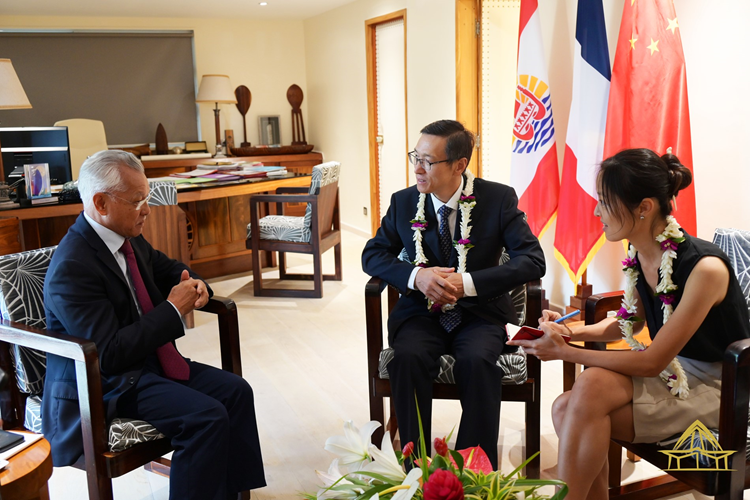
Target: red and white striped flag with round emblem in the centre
[{"x": 534, "y": 173}]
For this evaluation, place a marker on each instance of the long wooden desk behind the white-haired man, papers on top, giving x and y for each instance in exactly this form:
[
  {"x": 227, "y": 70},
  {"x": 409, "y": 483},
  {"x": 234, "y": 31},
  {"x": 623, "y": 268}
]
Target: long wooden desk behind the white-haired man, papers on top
[{"x": 216, "y": 220}]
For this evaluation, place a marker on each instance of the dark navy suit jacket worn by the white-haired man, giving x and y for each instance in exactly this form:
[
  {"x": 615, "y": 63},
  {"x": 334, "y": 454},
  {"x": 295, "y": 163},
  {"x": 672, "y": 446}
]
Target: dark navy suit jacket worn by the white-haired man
[{"x": 87, "y": 296}]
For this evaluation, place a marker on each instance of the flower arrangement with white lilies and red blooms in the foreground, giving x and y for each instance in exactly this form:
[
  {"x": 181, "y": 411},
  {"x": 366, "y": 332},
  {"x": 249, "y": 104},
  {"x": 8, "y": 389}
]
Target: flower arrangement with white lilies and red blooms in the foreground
[{"x": 362, "y": 471}]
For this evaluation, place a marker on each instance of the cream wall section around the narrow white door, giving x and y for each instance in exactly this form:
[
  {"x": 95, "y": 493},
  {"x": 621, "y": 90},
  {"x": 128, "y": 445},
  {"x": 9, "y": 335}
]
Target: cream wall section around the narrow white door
[{"x": 337, "y": 82}]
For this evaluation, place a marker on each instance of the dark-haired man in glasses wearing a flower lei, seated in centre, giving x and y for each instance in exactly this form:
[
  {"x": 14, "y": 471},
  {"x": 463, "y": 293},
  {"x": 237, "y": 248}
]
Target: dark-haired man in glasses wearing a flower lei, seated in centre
[{"x": 455, "y": 263}]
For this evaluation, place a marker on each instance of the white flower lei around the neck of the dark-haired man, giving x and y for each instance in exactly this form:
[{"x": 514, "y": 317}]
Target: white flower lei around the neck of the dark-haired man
[{"x": 419, "y": 224}]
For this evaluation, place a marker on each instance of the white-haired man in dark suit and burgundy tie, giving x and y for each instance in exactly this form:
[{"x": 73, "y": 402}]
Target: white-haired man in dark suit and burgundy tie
[{"x": 107, "y": 284}]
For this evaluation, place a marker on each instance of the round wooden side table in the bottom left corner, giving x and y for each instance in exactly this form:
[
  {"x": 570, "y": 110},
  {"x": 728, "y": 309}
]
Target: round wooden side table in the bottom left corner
[{"x": 26, "y": 476}]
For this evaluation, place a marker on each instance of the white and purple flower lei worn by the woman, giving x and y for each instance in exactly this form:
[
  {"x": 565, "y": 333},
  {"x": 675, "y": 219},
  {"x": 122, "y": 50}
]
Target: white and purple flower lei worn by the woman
[{"x": 673, "y": 375}]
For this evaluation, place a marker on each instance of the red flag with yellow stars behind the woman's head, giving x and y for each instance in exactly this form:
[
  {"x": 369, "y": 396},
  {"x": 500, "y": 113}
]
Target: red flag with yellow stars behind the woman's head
[{"x": 648, "y": 103}]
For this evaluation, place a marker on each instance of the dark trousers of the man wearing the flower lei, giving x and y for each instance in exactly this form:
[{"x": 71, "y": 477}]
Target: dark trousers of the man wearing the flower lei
[{"x": 476, "y": 345}]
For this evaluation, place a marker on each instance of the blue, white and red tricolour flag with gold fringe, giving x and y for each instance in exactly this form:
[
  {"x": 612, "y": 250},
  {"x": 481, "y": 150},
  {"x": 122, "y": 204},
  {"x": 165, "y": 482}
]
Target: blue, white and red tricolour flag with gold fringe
[{"x": 579, "y": 235}]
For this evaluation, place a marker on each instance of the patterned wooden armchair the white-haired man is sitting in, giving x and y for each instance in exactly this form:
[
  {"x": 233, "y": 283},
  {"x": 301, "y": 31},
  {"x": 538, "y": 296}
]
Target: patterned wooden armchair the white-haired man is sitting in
[{"x": 112, "y": 448}]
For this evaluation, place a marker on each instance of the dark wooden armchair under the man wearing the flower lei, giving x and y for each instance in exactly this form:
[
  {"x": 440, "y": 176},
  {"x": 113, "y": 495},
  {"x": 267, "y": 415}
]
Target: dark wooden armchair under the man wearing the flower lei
[{"x": 522, "y": 380}]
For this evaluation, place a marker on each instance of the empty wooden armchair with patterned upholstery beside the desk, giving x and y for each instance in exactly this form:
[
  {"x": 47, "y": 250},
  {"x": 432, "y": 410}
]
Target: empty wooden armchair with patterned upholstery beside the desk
[{"x": 316, "y": 232}]
